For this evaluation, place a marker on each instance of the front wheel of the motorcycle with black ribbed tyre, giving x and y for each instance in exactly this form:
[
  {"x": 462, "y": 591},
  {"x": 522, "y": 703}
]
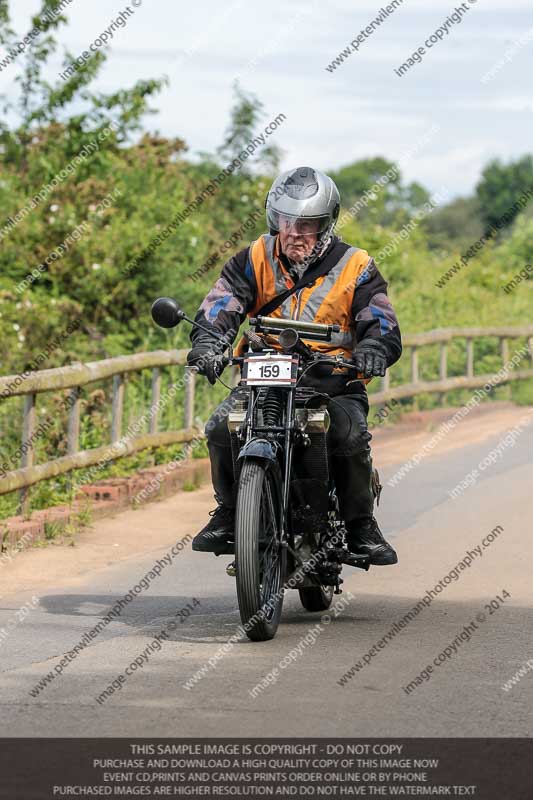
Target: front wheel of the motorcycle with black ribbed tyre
[{"x": 259, "y": 557}]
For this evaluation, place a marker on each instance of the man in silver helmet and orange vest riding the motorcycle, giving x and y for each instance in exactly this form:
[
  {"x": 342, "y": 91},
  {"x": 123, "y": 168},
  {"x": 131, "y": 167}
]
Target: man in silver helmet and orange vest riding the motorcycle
[{"x": 344, "y": 287}]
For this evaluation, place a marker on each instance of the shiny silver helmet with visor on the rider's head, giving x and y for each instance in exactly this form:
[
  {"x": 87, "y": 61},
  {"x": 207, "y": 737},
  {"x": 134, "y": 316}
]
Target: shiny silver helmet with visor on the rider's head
[{"x": 304, "y": 198}]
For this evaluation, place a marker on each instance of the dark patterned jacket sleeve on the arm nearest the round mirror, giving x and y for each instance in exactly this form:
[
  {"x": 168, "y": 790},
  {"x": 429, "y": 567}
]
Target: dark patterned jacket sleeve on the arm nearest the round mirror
[{"x": 225, "y": 306}]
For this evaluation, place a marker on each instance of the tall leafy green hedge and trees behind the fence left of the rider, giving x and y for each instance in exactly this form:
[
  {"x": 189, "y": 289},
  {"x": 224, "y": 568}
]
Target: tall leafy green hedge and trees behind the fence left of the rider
[{"x": 120, "y": 195}]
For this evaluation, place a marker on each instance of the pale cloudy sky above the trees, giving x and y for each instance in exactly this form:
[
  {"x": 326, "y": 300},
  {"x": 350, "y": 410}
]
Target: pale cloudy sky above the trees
[{"x": 439, "y": 120}]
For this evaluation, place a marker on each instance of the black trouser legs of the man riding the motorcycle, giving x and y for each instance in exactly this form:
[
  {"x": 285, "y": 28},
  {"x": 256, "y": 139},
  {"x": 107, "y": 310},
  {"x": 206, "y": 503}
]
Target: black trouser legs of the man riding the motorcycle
[{"x": 349, "y": 453}]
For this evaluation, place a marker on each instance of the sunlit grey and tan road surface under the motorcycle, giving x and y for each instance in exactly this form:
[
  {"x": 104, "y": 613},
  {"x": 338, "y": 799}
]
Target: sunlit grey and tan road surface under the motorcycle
[{"x": 75, "y": 587}]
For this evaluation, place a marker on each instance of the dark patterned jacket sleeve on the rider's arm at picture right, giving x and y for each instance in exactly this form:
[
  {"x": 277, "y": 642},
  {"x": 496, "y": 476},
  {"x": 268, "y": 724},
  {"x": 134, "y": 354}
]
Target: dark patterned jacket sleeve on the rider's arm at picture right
[{"x": 373, "y": 313}]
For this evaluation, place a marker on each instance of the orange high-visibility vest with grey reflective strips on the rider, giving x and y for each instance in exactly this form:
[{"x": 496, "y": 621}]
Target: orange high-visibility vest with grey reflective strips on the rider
[{"x": 328, "y": 300}]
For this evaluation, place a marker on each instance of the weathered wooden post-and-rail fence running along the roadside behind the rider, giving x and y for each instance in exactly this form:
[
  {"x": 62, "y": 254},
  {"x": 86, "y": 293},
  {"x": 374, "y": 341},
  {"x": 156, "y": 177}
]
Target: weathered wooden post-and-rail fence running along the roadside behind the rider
[{"x": 76, "y": 376}]
